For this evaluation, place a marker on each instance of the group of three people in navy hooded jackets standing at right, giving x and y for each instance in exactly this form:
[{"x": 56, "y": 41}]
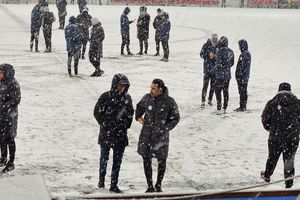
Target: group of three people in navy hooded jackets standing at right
[{"x": 218, "y": 60}]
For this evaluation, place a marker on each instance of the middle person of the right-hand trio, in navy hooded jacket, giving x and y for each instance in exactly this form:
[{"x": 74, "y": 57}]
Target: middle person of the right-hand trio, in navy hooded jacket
[{"x": 224, "y": 62}]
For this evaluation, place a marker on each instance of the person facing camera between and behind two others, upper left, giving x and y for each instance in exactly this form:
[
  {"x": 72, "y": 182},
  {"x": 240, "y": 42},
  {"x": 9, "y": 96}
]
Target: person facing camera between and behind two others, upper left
[{"x": 84, "y": 22}]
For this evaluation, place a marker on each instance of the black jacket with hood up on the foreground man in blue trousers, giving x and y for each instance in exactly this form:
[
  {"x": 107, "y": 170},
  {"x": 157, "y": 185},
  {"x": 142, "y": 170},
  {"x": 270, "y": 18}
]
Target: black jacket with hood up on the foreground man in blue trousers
[{"x": 114, "y": 113}]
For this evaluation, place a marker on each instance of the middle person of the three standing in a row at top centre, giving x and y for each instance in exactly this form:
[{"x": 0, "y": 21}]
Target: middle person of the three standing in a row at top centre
[{"x": 143, "y": 29}]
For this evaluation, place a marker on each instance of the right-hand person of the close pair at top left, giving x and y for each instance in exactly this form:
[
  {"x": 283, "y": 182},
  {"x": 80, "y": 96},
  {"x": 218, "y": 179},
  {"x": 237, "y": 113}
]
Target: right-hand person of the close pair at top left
[{"x": 48, "y": 19}]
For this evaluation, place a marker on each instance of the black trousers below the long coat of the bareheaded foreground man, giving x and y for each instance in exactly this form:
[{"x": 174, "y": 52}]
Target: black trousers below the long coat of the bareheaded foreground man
[{"x": 148, "y": 170}]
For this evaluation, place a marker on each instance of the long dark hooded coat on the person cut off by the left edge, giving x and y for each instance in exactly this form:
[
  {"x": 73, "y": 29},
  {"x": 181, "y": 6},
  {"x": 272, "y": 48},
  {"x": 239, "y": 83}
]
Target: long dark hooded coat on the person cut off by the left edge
[{"x": 10, "y": 97}]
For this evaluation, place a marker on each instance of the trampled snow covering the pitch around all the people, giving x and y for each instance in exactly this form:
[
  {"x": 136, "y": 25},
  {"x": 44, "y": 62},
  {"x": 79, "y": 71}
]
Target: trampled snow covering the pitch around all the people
[{"x": 57, "y": 133}]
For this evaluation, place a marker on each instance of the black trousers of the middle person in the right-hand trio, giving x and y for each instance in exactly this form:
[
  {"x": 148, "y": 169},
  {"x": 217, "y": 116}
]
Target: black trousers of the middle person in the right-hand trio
[{"x": 222, "y": 86}]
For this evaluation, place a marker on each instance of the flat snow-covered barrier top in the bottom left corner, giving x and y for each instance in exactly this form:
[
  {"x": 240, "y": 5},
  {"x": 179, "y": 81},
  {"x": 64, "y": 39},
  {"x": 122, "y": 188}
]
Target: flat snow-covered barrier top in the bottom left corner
[{"x": 31, "y": 187}]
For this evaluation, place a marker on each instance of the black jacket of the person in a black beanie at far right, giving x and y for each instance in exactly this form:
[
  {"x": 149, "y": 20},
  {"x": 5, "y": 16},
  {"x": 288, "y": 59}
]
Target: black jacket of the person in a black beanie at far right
[{"x": 281, "y": 116}]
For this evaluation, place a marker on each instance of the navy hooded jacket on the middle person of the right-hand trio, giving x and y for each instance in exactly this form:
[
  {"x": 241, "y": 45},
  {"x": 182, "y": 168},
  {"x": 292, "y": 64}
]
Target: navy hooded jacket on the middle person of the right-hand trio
[{"x": 224, "y": 61}]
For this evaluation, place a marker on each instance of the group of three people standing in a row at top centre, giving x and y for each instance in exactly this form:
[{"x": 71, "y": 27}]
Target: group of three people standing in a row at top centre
[{"x": 161, "y": 25}]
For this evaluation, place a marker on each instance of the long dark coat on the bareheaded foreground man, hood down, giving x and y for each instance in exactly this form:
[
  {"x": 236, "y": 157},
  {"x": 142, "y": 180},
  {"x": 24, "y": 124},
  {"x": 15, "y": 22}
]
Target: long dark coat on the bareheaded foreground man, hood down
[{"x": 161, "y": 115}]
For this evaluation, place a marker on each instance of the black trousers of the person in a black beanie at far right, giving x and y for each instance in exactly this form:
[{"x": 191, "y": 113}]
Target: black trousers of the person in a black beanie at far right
[{"x": 288, "y": 149}]
